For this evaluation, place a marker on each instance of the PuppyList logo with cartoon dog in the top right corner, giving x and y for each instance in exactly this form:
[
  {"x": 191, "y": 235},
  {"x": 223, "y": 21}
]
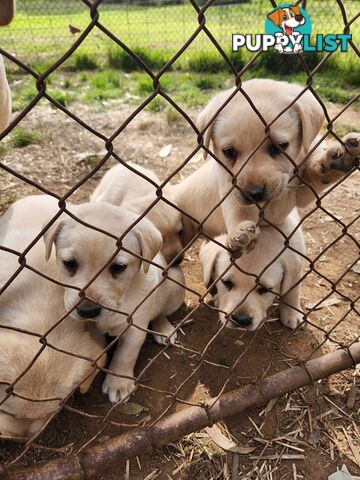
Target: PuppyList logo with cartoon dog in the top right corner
[{"x": 288, "y": 30}]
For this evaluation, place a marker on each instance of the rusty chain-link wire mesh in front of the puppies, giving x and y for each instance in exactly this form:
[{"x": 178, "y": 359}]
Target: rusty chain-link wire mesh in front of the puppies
[{"x": 203, "y": 358}]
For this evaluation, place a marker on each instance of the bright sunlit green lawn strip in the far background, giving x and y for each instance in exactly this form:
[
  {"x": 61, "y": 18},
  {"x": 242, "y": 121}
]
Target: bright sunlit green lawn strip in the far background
[{"x": 43, "y": 27}]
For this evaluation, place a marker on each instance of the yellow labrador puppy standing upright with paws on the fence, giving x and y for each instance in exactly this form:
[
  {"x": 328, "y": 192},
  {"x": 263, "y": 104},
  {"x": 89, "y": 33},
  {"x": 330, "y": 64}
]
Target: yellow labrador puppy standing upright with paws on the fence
[{"x": 237, "y": 134}]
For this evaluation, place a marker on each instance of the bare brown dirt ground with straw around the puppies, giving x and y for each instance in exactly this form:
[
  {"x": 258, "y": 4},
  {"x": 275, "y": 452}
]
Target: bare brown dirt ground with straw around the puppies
[{"x": 304, "y": 435}]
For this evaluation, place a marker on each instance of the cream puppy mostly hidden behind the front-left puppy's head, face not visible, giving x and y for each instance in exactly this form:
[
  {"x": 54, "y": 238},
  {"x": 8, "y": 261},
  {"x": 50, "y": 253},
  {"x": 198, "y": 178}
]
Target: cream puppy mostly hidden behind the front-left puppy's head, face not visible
[{"x": 122, "y": 186}]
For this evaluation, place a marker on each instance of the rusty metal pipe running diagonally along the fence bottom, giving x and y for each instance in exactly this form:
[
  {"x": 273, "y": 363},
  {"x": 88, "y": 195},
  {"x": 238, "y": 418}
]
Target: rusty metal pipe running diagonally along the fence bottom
[{"x": 96, "y": 459}]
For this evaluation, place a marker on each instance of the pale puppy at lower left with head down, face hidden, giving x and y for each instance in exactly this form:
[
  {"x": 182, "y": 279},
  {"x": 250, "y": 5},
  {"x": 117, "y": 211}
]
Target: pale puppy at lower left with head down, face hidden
[{"x": 42, "y": 377}]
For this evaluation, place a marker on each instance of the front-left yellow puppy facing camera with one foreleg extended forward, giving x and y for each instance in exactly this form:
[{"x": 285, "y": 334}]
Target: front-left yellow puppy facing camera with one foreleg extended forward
[{"x": 125, "y": 285}]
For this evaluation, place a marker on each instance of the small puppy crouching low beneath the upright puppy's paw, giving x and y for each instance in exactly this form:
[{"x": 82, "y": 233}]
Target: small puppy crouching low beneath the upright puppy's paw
[{"x": 246, "y": 293}]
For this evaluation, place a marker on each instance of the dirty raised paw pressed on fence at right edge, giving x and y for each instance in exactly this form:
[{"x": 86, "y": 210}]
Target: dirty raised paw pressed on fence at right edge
[{"x": 341, "y": 159}]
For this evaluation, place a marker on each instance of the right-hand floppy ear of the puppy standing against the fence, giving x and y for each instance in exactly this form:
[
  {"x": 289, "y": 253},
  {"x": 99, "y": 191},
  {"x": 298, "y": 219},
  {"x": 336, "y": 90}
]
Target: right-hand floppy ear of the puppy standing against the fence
[{"x": 311, "y": 117}]
